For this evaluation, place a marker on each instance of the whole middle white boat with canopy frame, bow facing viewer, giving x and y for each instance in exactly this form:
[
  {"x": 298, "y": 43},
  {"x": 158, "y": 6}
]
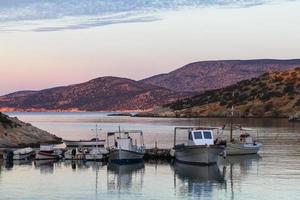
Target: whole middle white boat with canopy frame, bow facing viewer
[{"x": 124, "y": 151}]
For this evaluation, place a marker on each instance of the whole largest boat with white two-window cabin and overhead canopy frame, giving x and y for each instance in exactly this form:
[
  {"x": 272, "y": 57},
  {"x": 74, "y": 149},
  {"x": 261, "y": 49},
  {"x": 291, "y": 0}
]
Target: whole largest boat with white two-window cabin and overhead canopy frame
[{"x": 200, "y": 148}]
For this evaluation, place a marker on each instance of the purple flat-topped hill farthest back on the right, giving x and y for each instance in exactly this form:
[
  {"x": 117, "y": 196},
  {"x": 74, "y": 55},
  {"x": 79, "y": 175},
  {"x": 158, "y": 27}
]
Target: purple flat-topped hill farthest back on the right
[{"x": 208, "y": 75}]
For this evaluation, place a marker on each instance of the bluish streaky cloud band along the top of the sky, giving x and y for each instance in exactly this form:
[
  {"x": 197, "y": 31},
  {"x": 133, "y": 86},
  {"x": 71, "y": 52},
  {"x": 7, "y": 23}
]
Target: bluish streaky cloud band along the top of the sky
[{"x": 56, "y": 15}]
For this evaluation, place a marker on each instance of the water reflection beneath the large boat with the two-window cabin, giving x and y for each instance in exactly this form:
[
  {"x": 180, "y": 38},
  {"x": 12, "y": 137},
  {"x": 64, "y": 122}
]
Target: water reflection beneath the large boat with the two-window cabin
[{"x": 195, "y": 180}]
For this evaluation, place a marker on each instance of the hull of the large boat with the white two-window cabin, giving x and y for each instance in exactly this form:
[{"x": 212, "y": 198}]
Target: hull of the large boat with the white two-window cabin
[{"x": 198, "y": 154}]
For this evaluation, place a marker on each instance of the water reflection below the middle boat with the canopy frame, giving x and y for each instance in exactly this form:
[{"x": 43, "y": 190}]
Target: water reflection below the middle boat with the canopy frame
[{"x": 125, "y": 177}]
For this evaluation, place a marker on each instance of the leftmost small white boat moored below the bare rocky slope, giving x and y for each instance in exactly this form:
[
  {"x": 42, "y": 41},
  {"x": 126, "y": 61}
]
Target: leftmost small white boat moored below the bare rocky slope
[{"x": 19, "y": 154}]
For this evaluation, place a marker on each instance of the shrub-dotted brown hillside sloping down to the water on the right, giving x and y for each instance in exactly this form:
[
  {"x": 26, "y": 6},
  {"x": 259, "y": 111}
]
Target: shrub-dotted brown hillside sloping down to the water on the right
[{"x": 274, "y": 94}]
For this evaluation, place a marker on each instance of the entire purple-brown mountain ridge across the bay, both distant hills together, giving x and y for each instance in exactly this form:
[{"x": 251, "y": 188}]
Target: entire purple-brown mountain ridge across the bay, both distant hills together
[{"x": 111, "y": 93}]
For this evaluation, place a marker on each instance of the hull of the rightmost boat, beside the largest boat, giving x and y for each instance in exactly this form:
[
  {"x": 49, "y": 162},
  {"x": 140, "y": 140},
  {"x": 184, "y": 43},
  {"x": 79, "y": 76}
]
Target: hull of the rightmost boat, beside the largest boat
[{"x": 242, "y": 149}]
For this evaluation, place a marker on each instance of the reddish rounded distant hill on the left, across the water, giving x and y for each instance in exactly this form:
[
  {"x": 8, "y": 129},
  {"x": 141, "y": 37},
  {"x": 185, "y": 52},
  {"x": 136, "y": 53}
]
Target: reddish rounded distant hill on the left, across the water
[{"x": 101, "y": 94}]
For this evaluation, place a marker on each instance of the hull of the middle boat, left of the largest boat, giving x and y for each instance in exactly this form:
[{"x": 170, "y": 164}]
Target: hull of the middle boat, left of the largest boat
[{"x": 121, "y": 156}]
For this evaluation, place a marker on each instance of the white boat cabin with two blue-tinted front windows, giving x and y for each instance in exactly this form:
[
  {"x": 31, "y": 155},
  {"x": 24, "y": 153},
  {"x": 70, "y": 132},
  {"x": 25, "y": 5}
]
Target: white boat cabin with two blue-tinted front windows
[{"x": 201, "y": 137}]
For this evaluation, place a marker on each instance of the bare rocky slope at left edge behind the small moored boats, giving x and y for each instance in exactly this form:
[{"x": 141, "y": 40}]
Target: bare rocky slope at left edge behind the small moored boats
[{"x": 15, "y": 133}]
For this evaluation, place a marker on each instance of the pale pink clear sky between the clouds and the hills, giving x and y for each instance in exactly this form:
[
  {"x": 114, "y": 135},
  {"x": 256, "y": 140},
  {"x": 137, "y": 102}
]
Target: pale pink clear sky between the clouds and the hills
[{"x": 37, "y": 60}]
